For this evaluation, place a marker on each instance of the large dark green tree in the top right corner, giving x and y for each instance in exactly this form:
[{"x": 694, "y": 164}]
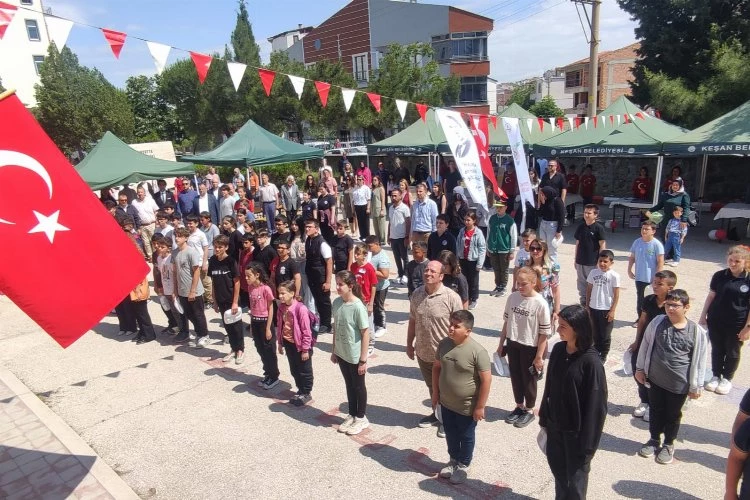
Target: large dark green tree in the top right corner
[{"x": 693, "y": 59}]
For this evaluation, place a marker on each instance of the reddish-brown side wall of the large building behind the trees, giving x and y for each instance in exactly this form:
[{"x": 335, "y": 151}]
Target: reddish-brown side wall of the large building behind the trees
[{"x": 348, "y": 29}]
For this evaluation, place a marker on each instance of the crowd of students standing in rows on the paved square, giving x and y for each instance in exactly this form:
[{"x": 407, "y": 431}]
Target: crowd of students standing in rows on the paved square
[{"x": 281, "y": 274}]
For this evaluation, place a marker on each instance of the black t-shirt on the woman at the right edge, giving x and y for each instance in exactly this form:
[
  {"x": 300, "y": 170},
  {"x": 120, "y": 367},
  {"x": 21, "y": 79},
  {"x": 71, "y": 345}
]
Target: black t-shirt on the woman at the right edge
[{"x": 730, "y": 306}]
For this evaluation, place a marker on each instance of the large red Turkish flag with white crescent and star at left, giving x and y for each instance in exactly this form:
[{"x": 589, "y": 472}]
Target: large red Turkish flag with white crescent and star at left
[{"x": 66, "y": 262}]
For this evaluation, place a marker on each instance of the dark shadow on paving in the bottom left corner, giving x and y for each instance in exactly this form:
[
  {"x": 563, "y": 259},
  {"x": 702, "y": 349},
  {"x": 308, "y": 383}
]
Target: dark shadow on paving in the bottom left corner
[{"x": 36, "y": 474}]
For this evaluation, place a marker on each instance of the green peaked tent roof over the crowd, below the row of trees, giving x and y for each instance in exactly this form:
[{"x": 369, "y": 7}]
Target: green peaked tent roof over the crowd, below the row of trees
[{"x": 253, "y": 145}]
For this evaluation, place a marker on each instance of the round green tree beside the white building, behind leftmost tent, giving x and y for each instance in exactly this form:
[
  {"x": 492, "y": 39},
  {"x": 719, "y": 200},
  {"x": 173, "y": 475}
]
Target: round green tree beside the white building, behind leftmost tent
[{"x": 76, "y": 105}]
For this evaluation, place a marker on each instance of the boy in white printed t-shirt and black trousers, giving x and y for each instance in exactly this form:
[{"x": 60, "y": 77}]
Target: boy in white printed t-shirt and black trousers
[{"x": 602, "y": 296}]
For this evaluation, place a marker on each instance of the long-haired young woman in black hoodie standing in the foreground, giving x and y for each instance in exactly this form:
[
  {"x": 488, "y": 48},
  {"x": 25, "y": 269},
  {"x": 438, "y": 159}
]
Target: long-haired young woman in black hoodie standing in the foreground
[{"x": 574, "y": 405}]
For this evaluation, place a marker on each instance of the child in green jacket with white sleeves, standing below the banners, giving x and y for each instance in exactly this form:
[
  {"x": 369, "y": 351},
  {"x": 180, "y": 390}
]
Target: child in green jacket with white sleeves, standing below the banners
[{"x": 502, "y": 239}]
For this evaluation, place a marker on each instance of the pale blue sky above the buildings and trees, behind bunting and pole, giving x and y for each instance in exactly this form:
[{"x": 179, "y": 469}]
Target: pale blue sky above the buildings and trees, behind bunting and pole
[{"x": 529, "y": 36}]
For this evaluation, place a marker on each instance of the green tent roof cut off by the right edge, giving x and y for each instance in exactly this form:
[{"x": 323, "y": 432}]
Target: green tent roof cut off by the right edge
[{"x": 727, "y": 134}]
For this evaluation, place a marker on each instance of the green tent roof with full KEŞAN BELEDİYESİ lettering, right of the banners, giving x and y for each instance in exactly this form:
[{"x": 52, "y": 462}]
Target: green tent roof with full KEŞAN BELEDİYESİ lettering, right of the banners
[{"x": 640, "y": 137}]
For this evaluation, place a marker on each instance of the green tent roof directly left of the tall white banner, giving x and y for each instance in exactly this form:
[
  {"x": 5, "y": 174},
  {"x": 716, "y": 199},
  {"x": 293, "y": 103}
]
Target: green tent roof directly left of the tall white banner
[{"x": 421, "y": 137}]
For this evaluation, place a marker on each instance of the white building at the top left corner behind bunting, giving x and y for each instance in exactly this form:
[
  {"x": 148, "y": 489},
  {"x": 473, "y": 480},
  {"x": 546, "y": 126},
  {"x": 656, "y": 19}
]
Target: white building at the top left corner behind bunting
[{"x": 23, "y": 49}]
